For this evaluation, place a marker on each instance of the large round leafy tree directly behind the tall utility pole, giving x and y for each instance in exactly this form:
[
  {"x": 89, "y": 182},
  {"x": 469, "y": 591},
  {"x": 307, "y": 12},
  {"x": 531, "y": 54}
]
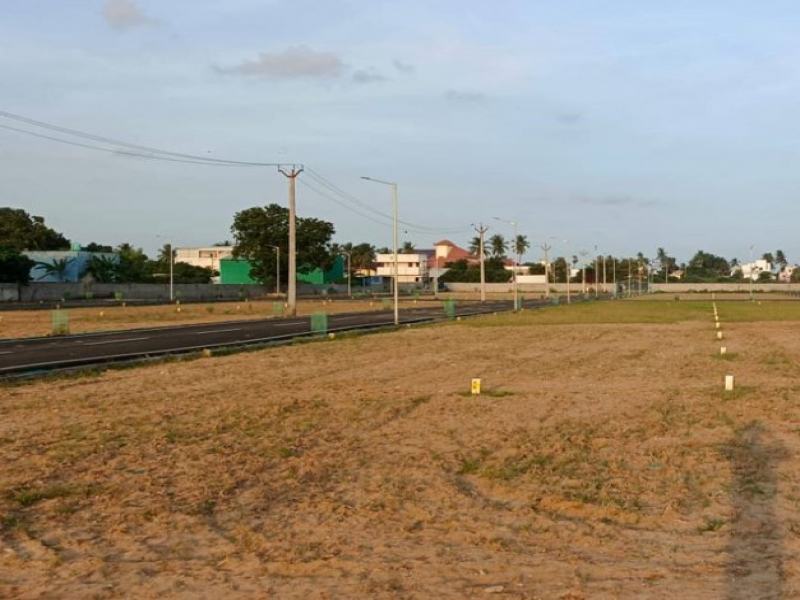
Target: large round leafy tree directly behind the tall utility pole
[{"x": 255, "y": 230}]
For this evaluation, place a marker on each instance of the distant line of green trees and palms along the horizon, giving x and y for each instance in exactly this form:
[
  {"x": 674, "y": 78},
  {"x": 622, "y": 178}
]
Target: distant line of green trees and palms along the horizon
[{"x": 261, "y": 234}]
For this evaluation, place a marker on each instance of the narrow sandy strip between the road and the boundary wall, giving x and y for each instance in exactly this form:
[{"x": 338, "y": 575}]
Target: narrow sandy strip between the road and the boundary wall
[{"x": 37, "y": 323}]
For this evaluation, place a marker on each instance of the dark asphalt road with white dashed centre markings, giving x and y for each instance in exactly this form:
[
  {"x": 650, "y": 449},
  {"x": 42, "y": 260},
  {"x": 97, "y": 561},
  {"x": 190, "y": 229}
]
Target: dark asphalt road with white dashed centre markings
[{"x": 26, "y": 355}]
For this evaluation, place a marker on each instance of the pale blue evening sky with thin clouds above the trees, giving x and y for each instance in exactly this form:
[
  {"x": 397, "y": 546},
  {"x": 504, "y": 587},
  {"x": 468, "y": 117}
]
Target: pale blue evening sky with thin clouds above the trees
[{"x": 616, "y": 125}]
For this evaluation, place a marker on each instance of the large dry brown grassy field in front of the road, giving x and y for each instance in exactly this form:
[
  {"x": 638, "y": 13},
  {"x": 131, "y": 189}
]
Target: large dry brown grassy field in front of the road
[{"x": 603, "y": 460}]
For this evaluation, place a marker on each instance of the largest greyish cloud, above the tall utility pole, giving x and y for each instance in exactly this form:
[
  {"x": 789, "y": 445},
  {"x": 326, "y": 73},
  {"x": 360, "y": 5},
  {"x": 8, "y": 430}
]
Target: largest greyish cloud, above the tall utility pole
[{"x": 292, "y": 63}]
